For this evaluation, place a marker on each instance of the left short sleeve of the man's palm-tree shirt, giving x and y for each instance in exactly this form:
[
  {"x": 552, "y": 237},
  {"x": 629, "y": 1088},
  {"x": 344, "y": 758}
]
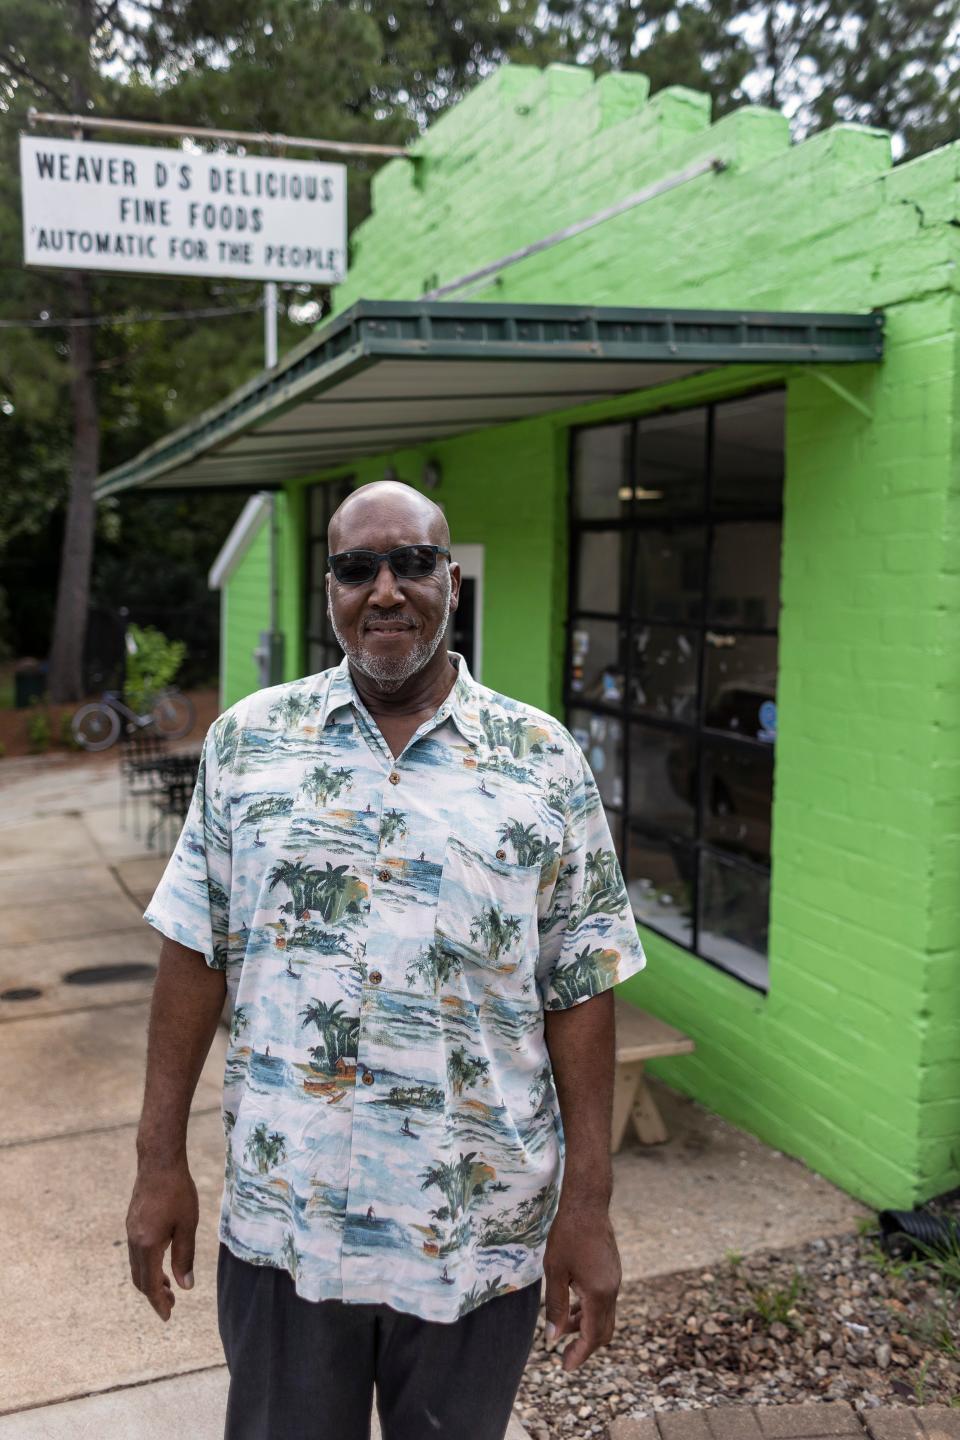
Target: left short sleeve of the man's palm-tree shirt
[{"x": 192, "y": 904}]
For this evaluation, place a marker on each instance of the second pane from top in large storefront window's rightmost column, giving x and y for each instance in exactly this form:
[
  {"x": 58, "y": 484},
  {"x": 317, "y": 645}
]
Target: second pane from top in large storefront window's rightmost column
[{"x": 745, "y": 575}]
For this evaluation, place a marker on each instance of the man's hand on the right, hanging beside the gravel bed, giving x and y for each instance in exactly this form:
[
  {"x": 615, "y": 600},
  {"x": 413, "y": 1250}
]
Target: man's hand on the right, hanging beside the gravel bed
[{"x": 582, "y": 1255}]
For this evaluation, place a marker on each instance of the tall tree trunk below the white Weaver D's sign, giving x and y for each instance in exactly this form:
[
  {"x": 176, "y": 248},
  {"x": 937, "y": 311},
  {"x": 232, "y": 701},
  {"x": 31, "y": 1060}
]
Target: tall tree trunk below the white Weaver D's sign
[{"x": 73, "y": 593}]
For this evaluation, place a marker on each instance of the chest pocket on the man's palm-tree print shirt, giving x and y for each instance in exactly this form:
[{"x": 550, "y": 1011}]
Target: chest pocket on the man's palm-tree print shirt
[{"x": 487, "y": 911}]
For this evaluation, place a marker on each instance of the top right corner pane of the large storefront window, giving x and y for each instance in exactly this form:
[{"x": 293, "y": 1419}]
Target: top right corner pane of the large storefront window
[{"x": 749, "y": 453}]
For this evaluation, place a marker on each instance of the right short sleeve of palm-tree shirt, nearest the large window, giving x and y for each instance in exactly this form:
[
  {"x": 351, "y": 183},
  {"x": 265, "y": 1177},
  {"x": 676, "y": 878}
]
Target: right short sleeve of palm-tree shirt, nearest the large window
[{"x": 588, "y": 934}]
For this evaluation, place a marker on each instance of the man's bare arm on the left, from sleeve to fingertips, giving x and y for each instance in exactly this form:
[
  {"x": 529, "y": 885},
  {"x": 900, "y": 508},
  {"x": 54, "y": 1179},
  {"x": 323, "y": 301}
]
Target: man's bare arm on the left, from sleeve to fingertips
[{"x": 186, "y": 1007}]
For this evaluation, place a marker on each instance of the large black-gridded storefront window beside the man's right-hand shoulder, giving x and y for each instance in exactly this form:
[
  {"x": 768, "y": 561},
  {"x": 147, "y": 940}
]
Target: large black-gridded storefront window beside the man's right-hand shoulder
[{"x": 673, "y": 663}]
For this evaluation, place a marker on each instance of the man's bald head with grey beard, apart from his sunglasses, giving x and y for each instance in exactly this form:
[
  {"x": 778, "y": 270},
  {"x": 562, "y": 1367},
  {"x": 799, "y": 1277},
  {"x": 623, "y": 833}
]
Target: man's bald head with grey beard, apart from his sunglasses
[{"x": 391, "y": 629}]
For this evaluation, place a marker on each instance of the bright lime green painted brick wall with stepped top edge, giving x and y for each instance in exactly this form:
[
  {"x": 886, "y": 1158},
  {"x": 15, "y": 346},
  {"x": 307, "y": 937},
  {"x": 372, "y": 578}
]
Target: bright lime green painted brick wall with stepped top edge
[{"x": 851, "y": 1061}]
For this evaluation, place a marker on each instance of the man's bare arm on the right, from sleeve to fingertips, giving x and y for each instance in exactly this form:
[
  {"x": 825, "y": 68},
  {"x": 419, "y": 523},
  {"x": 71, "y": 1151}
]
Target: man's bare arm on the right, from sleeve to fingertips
[{"x": 581, "y": 1249}]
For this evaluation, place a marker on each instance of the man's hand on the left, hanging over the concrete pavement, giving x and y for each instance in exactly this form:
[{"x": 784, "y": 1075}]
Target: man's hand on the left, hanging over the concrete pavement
[{"x": 163, "y": 1212}]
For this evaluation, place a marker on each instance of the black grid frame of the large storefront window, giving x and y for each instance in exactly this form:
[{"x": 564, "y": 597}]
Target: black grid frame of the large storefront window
[{"x": 709, "y": 518}]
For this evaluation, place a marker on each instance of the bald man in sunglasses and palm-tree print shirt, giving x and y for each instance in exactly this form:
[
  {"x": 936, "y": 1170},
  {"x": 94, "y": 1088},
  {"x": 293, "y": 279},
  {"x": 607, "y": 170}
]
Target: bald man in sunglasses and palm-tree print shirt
[{"x": 430, "y": 935}]
